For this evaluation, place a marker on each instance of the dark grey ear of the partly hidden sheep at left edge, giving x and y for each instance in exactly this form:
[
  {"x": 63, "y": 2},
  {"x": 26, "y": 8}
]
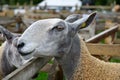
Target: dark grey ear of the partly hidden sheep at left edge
[{"x": 7, "y": 34}]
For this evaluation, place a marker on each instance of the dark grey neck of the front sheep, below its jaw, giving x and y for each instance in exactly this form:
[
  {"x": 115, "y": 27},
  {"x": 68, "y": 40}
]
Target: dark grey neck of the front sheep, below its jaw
[{"x": 70, "y": 60}]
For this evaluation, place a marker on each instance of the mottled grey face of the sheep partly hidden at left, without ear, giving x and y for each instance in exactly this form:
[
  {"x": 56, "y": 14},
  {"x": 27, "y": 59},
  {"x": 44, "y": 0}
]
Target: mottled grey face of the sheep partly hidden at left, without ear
[{"x": 13, "y": 55}]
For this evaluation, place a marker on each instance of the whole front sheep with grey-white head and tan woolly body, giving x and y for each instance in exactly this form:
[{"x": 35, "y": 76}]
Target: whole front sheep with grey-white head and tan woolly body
[{"x": 59, "y": 38}]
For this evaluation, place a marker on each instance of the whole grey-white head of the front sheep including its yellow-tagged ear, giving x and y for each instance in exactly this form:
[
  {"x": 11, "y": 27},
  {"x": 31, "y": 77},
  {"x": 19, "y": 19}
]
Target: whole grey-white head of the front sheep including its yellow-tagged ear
[{"x": 50, "y": 37}]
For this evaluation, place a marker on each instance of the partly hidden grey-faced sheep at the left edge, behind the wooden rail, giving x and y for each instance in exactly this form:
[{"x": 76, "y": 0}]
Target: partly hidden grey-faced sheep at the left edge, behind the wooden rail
[{"x": 10, "y": 59}]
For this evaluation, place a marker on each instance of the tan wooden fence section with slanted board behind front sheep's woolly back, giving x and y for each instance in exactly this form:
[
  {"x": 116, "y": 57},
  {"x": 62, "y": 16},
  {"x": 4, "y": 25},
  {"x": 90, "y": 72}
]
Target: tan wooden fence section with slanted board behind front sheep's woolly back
[{"x": 104, "y": 49}]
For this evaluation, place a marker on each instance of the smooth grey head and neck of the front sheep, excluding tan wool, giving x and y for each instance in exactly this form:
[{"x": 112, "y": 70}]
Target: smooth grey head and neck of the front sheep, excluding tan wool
[{"x": 55, "y": 37}]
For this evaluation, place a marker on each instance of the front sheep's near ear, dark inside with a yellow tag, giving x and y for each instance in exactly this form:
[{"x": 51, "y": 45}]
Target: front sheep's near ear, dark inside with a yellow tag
[{"x": 84, "y": 22}]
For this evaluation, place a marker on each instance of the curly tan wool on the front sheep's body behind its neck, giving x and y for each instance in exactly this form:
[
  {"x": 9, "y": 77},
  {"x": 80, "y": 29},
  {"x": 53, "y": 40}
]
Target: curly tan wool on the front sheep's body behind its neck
[{"x": 91, "y": 68}]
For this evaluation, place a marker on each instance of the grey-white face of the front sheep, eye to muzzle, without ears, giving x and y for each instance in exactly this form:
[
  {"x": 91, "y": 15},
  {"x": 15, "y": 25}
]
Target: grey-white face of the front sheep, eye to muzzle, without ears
[{"x": 46, "y": 33}]
